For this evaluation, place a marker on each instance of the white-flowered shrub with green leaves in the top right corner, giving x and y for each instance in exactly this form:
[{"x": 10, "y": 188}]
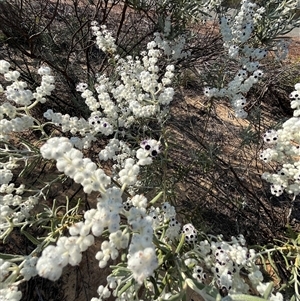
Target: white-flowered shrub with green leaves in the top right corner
[{"x": 244, "y": 35}]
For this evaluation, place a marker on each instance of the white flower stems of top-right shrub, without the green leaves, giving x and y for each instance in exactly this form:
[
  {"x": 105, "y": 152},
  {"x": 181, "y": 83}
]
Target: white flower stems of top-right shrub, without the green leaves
[{"x": 236, "y": 32}]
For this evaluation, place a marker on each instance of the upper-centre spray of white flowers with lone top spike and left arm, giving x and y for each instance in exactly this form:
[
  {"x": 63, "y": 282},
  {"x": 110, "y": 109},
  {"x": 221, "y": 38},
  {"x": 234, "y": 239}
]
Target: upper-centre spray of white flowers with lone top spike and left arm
[{"x": 140, "y": 92}]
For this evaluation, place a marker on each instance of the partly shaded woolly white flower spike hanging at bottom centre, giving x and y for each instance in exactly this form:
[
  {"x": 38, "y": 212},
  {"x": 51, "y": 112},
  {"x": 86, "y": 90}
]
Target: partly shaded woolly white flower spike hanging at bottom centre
[{"x": 141, "y": 258}]
